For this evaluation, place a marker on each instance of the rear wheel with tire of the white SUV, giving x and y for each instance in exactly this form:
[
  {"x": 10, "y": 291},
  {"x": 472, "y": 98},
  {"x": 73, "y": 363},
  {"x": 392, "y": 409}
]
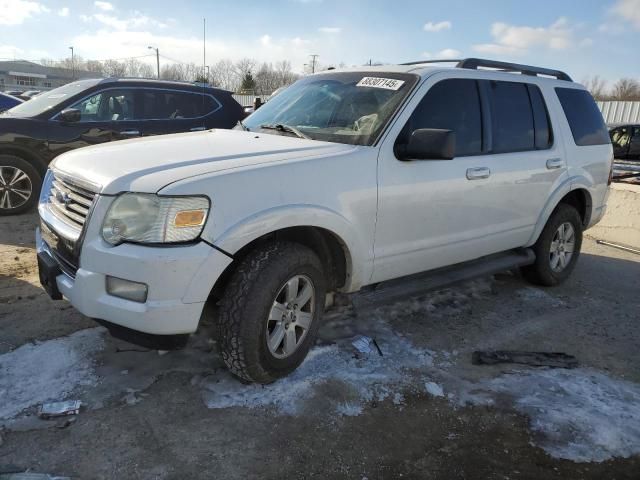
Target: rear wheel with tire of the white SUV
[{"x": 557, "y": 249}]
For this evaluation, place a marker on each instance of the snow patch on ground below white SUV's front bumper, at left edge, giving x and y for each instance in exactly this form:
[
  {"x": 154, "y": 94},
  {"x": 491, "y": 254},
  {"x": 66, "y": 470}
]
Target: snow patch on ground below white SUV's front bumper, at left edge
[{"x": 47, "y": 371}]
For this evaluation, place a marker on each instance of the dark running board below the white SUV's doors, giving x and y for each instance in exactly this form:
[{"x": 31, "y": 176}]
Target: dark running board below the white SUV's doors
[{"x": 413, "y": 285}]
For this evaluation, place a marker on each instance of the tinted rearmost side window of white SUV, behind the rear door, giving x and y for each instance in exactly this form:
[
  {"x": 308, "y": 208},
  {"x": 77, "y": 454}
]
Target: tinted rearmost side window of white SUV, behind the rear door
[{"x": 585, "y": 120}]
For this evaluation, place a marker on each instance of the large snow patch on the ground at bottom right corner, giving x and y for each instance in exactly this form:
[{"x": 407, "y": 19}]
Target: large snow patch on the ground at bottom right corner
[{"x": 579, "y": 415}]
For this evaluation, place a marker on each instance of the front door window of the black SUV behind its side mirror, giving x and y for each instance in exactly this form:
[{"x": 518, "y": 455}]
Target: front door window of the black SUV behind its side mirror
[{"x": 107, "y": 106}]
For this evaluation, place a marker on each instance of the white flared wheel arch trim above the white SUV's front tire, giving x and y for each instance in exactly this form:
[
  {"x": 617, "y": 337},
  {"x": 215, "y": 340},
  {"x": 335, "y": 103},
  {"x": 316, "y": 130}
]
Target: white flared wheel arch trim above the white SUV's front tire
[{"x": 357, "y": 249}]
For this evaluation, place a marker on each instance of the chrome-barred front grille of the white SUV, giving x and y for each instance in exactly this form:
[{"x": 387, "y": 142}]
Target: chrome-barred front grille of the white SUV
[{"x": 70, "y": 202}]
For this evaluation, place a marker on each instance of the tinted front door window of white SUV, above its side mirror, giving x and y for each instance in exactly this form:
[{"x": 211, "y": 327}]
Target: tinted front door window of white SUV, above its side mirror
[{"x": 451, "y": 105}]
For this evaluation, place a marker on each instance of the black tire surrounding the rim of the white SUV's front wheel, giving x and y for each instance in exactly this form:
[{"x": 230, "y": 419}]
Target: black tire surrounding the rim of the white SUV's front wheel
[{"x": 247, "y": 302}]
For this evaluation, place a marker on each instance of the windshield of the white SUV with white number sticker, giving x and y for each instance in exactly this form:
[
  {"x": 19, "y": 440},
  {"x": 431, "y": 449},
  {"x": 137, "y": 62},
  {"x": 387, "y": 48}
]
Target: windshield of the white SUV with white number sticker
[{"x": 342, "y": 107}]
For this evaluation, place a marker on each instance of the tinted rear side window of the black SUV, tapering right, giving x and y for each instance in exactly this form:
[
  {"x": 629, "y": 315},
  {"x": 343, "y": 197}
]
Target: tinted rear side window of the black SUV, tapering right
[{"x": 165, "y": 104}]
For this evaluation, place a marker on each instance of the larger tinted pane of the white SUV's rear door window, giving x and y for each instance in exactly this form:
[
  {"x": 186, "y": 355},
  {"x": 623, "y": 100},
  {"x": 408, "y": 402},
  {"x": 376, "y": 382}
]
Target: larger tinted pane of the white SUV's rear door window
[{"x": 513, "y": 129}]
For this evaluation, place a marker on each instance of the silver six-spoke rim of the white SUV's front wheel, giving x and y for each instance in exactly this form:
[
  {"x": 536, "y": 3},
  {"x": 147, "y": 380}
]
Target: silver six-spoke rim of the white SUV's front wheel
[{"x": 290, "y": 316}]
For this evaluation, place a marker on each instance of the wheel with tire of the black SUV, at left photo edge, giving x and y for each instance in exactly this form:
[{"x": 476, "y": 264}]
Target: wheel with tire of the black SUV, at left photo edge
[{"x": 20, "y": 185}]
